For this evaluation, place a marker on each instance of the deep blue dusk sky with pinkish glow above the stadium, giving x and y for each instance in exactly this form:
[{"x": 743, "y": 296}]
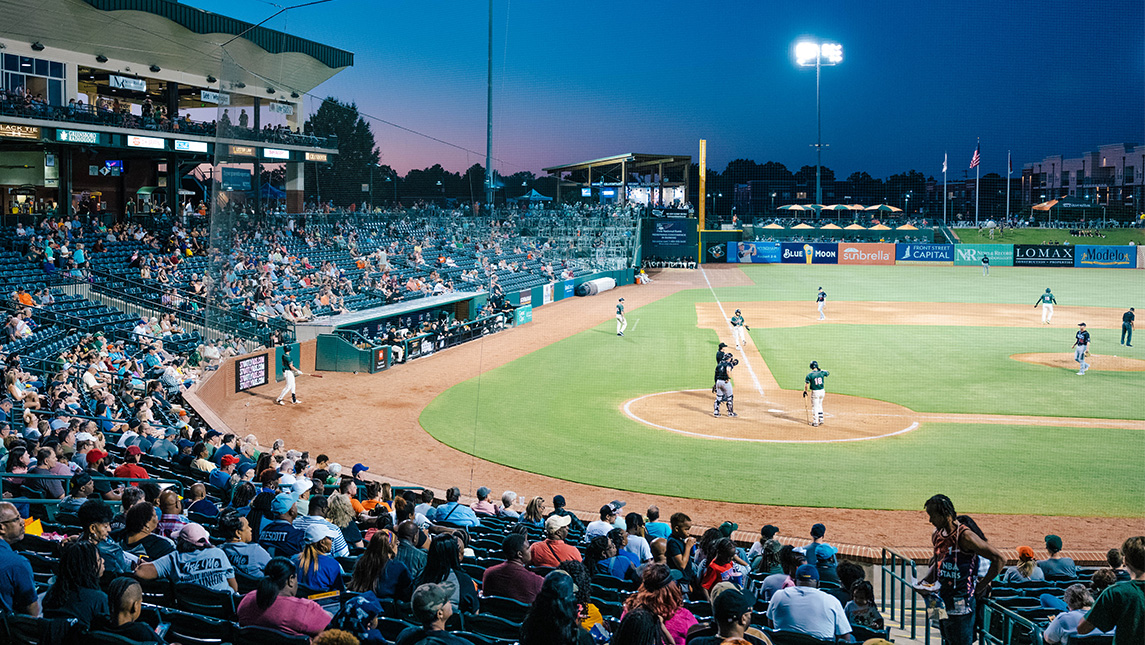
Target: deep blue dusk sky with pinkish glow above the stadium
[{"x": 575, "y": 82}]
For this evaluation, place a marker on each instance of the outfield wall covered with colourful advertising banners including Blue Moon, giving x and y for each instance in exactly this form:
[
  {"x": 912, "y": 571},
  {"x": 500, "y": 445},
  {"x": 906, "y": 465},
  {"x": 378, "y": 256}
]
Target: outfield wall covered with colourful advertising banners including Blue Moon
[{"x": 1069, "y": 256}]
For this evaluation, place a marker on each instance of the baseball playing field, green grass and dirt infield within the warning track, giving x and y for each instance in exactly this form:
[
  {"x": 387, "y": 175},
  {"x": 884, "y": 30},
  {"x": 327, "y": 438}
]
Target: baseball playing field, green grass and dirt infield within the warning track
[{"x": 939, "y": 379}]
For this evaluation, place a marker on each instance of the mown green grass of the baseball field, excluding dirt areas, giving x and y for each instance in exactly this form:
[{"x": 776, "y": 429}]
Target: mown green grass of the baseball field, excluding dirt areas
[{"x": 557, "y": 412}]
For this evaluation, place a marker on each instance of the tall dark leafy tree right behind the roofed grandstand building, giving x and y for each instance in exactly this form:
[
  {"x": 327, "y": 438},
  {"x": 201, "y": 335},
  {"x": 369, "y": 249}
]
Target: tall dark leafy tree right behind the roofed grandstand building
[{"x": 343, "y": 178}]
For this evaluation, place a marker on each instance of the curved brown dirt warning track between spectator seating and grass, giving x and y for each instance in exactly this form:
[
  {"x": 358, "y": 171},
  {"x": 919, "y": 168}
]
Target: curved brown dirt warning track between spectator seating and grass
[{"x": 374, "y": 420}]
